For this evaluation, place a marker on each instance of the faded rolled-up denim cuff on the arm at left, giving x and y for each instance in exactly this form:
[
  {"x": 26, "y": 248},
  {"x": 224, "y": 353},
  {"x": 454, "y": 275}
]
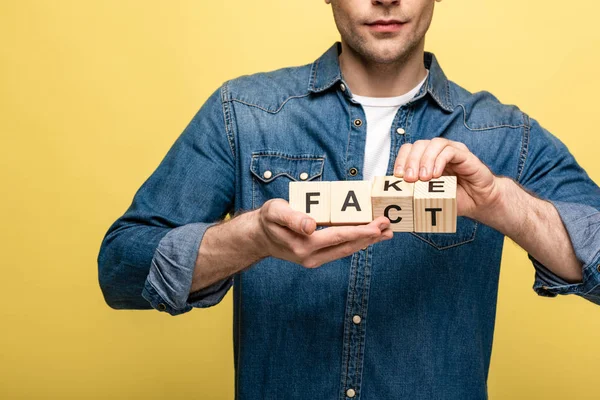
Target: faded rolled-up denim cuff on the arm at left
[{"x": 167, "y": 286}]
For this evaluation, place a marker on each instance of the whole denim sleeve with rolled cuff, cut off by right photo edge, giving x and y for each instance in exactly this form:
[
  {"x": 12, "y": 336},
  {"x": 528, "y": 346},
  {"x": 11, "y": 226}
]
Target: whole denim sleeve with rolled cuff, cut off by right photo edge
[{"x": 550, "y": 171}]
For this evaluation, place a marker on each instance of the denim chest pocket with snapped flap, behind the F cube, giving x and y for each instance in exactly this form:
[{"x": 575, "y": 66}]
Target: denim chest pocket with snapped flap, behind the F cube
[{"x": 273, "y": 171}]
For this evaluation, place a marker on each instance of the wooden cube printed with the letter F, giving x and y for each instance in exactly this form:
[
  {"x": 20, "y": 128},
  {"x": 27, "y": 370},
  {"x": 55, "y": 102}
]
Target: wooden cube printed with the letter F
[{"x": 312, "y": 198}]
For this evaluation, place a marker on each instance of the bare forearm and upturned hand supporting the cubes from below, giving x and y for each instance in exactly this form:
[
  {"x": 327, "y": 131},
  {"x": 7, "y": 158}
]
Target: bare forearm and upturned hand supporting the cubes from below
[{"x": 276, "y": 230}]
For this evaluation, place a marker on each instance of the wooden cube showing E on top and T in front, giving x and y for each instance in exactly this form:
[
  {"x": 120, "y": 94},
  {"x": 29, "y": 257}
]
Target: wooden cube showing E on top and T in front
[{"x": 435, "y": 205}]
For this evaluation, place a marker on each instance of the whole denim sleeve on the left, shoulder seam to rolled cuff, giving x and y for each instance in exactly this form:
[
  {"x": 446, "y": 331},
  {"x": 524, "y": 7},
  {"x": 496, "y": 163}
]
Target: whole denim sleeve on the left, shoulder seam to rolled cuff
[{"x": 148, "y": 255}]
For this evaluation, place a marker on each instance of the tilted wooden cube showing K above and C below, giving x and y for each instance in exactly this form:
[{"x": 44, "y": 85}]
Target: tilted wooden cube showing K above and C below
[{"x": 393, "y": 198}]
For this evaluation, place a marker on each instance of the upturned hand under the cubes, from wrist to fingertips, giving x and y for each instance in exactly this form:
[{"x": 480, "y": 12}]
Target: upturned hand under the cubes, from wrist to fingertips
[{"x": 291, "y": 235}]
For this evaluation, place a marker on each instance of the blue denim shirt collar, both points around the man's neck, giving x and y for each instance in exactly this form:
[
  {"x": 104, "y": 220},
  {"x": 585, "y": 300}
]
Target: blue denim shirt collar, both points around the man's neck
[{"x": 325, "y": 72}]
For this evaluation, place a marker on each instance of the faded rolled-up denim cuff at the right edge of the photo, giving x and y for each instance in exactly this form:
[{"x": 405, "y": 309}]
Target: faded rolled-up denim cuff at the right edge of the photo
[{"x": 583, "y": 225}]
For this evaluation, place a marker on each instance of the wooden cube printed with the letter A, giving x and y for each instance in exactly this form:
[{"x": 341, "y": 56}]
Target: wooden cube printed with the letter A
[{"x": 351, "y": 202}]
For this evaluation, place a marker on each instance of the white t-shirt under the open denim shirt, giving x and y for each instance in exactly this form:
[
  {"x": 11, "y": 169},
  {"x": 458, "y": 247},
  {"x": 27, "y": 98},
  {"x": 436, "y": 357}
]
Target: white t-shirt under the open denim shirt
[{"x": 380, "y": 113}]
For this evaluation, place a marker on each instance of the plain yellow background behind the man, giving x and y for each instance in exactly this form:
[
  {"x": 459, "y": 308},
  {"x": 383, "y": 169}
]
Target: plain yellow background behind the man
[{"x": 92, "y": 95}]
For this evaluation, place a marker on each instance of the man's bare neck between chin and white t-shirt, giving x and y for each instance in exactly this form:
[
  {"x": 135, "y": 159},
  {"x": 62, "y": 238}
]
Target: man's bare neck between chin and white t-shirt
[{"x": 365, "y": 78}]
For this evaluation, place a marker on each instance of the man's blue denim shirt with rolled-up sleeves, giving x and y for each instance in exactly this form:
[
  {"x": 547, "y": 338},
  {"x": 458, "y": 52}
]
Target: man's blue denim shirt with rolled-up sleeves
[{"x": 408, "y": 318}]
